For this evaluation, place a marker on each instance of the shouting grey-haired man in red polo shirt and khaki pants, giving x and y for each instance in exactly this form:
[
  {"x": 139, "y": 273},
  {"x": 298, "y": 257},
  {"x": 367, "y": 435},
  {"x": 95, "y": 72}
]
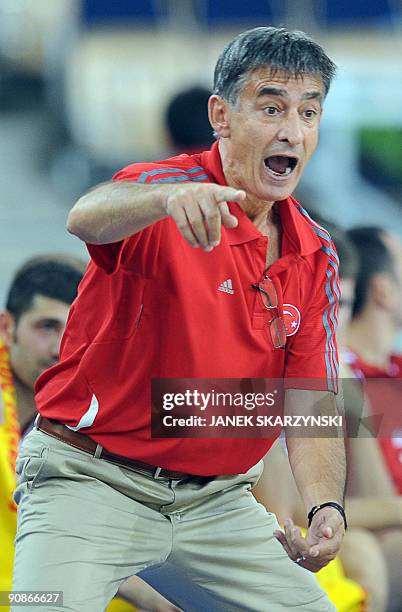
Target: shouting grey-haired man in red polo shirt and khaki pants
[{"x": 202, "y": 266}]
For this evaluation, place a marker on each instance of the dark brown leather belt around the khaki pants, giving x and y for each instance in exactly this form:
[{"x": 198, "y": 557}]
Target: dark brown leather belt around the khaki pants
[{"x": 88, "y": 445}]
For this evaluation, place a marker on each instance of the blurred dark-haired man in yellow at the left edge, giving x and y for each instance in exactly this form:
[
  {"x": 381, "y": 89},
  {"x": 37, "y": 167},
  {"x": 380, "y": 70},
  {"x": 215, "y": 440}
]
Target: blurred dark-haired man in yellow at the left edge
[{"x": 31, "y": 327}]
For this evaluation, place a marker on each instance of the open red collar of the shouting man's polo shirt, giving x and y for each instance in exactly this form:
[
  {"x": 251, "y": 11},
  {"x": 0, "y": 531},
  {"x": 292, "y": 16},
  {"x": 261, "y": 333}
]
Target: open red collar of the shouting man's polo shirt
[{"x": 299, "y": 235}]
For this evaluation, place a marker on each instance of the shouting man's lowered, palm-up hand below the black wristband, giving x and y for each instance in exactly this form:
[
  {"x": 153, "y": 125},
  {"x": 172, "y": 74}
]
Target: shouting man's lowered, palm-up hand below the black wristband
[{"x": 322, "y": 541}]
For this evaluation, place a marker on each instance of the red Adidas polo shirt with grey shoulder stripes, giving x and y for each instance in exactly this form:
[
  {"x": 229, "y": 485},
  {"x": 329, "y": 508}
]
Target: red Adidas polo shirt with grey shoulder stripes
[{"x": 153, "y": 307}]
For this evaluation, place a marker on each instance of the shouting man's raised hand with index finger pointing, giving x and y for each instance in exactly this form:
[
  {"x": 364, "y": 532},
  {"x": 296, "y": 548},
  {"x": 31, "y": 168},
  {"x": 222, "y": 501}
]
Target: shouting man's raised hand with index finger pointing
[{"x": 200, "y": 210}]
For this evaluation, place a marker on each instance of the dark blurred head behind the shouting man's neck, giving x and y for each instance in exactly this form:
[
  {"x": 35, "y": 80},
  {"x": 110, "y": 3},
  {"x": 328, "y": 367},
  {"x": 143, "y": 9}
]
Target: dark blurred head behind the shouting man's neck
[{"x": 186, "y": 121}]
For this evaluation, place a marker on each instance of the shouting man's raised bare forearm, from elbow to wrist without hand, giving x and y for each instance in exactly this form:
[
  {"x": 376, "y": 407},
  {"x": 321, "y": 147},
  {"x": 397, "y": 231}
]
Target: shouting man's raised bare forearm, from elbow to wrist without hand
[{"x": 115, "y": 210}]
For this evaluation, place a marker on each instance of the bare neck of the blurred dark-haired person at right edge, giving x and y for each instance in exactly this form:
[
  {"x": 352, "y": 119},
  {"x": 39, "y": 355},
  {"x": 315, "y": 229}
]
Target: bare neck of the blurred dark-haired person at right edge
[{"x": 371, "y": 335}]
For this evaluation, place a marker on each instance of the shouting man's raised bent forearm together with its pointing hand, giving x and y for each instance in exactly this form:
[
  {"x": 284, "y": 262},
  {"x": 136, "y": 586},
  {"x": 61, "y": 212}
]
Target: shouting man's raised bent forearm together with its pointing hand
[{"x": 116, "y": 210}]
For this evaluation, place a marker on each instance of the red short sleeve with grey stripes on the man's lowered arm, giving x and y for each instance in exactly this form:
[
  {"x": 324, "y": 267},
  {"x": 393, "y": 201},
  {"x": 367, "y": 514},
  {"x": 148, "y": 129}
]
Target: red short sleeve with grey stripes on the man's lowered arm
[{"x": 312, "y": 352}]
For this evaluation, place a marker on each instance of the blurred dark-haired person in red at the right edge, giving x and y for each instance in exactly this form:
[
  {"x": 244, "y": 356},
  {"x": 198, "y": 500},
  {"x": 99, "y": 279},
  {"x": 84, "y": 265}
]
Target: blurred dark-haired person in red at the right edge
[{"x": 377, "y": 319}]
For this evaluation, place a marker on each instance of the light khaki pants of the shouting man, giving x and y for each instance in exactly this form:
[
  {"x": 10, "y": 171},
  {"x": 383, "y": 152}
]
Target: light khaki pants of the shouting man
[{"x": 85, "y": 525}]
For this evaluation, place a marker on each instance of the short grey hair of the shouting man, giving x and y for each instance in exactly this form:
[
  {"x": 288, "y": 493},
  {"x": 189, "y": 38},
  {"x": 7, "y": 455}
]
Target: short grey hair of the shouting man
[{"x": 292, "y": 52}]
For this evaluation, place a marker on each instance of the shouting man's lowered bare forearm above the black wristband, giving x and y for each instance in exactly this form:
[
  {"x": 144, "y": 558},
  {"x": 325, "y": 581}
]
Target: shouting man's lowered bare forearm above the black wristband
[{"x": 318, "y": 464}]
